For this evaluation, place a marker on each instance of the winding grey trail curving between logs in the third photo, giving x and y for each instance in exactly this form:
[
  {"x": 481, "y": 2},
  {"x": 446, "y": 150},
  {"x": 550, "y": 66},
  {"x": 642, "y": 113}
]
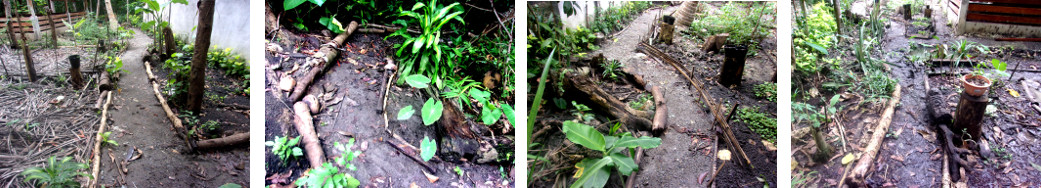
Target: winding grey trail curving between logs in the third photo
[{"x": 678, "y": 162}]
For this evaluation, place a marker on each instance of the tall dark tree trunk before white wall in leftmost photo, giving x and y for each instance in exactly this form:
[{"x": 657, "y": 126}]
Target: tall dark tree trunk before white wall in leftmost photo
[{"x": 198, "y": 75}]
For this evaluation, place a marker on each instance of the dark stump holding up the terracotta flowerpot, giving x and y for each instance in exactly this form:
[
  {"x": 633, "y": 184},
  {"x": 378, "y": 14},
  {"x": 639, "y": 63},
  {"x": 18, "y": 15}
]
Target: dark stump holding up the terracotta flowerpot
[{"x": 970, "y": 115}]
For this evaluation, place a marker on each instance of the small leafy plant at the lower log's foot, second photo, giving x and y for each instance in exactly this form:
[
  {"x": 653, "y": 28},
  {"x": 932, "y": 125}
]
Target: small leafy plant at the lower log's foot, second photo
[{"x": 331, "y": 175}]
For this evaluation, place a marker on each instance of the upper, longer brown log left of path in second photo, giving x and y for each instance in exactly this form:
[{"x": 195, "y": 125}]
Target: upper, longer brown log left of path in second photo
[{"x": 326, "y": 56}]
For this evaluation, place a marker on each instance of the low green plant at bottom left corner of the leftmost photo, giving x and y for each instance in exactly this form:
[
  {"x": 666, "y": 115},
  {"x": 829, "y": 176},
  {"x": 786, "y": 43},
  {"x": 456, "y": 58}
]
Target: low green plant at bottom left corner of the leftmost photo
[{"x": 57, "y": 174}]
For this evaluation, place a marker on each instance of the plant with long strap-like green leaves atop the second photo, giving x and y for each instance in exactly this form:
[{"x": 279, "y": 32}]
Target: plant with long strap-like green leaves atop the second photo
[{"x": 424, "y": 53}]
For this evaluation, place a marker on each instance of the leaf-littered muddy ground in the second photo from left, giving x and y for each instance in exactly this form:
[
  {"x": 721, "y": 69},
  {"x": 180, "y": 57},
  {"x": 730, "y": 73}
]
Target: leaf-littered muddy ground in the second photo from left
[{"x": 358, "y": 84}]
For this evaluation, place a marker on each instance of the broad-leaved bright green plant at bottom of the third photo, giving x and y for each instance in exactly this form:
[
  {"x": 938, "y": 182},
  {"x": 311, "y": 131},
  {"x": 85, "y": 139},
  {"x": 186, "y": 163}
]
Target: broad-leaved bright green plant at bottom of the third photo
[{"x": 595, "y": 173}]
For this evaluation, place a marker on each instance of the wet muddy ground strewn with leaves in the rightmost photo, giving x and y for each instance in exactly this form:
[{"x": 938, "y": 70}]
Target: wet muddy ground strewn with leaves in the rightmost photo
[{"x": 910, "y": 155}]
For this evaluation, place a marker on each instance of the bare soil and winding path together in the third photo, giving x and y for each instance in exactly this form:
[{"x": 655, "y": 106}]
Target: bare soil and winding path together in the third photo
[{"x": 687, "y": 157}]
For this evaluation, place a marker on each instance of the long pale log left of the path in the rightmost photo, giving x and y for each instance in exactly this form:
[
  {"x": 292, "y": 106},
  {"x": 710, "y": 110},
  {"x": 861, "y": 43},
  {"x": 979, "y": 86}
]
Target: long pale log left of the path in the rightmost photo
[{"x": 860, "y": 172}]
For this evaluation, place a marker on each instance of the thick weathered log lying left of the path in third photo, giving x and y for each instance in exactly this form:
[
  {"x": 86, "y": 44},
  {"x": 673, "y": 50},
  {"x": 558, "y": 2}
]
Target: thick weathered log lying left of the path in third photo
[{"x": 602, "y": 101}]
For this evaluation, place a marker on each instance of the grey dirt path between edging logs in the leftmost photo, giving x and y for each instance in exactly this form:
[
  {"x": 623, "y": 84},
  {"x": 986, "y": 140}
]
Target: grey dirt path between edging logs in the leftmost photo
[{"x": 141, "y": 123}]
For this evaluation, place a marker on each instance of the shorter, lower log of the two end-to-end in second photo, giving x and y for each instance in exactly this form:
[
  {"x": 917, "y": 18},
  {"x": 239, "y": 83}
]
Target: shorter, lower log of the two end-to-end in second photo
[{"x": 310, "y": 138}]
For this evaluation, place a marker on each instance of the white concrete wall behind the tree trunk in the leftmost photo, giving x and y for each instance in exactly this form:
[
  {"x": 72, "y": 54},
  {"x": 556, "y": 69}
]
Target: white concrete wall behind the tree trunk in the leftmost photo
[{"x": 232, "y": 23}]
